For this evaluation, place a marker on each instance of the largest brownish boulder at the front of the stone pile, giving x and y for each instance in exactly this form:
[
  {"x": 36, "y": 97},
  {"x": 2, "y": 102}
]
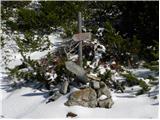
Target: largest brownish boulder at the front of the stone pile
[{"x": 86, "y": 97}]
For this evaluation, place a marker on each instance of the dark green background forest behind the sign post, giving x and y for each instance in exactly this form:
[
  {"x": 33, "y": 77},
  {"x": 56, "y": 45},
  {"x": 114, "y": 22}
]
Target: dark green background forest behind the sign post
[{"x": 126, "y": 29}]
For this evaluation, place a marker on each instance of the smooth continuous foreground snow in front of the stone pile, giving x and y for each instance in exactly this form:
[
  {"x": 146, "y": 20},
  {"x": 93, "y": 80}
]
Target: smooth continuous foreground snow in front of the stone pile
[{"x": 26, "y": 103}]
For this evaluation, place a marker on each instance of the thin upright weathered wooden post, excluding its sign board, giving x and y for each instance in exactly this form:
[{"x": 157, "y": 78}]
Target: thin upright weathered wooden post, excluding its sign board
[{"x": 80, "y": 44}]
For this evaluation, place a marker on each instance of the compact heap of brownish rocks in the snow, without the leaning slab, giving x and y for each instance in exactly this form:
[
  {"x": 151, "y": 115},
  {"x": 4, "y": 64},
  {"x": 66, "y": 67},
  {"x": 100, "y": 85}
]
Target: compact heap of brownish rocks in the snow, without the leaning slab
[{"x": 89, "y": 97}]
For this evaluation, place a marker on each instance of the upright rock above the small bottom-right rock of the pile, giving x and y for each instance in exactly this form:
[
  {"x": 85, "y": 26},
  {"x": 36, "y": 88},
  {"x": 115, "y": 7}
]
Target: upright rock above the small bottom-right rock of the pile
[{"x": 103, "y": 90}]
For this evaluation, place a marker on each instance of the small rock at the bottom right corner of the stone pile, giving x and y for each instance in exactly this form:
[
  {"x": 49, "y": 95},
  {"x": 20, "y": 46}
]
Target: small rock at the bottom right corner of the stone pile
[{"x": 106, "y": 103}]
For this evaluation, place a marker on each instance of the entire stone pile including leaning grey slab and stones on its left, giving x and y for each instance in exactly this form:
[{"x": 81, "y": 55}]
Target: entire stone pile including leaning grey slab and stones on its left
[{"x": 88, "y": 96}]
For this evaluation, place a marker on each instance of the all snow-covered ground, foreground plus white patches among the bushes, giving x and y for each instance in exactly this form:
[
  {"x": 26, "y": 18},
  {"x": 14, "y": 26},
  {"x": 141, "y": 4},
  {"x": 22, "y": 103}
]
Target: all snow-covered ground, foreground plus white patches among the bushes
[{"x": 27, "y": 102}]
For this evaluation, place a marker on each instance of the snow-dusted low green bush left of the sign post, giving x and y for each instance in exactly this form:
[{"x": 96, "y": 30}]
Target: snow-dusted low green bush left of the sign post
[{"x": 31, "y": 70}]
